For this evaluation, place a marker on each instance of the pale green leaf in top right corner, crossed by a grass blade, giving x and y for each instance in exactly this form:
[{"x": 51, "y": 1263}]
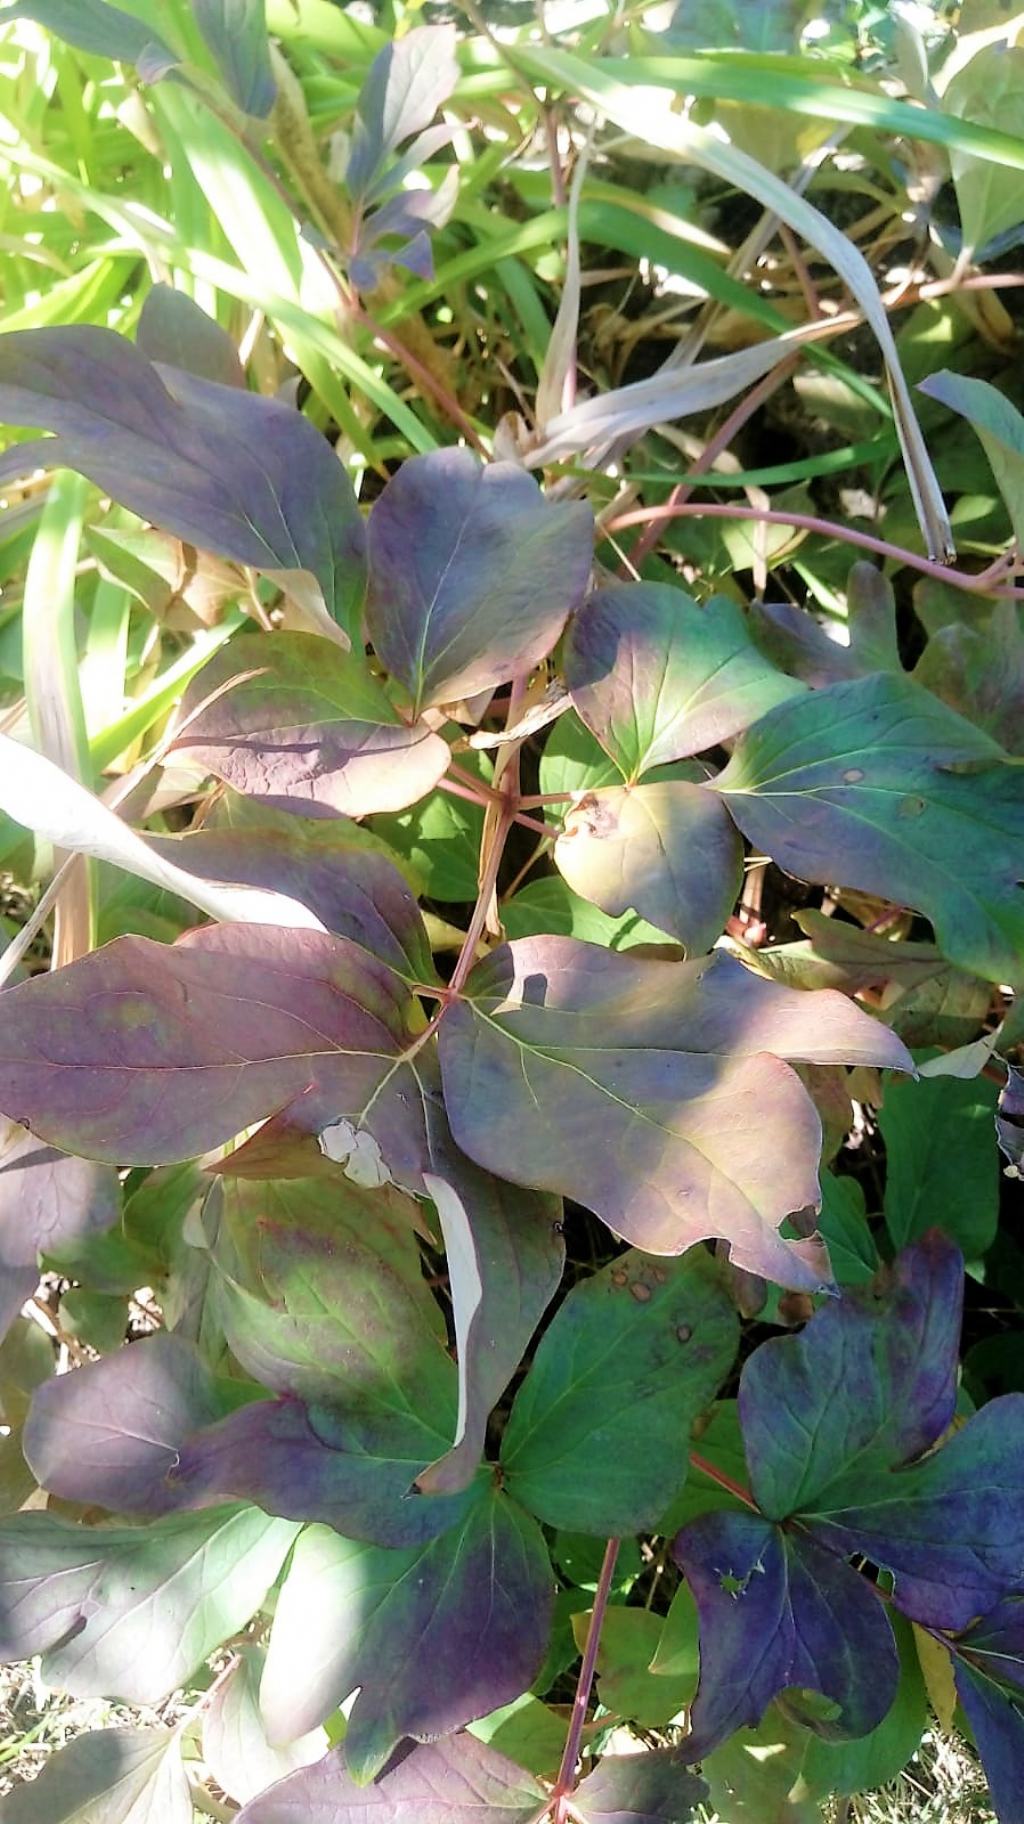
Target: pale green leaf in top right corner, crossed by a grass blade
[{"x": 988, "y": 92}]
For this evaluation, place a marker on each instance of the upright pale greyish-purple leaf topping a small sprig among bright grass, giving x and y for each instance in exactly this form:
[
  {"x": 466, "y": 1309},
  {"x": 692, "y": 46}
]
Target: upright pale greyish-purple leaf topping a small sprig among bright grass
[{"x": 408, "y": 81}]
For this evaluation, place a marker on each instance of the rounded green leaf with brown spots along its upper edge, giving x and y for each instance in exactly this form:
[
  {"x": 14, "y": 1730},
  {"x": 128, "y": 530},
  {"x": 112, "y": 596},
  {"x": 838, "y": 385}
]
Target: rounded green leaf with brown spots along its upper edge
[{"x": 598, "y": 1436}]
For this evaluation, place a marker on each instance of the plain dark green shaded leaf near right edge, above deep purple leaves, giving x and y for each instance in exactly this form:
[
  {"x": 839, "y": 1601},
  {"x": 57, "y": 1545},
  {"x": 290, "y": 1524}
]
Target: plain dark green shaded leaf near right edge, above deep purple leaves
[{"x": 943, "y": 1161}]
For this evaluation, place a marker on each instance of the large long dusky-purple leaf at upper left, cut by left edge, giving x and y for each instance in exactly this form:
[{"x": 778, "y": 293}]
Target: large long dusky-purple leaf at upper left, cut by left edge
[{"x": 231, "y": 472}]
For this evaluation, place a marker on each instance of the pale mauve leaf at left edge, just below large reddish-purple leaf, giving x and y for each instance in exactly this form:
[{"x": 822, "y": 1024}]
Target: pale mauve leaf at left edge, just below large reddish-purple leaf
[{"x": 47, "y": 1199}]
